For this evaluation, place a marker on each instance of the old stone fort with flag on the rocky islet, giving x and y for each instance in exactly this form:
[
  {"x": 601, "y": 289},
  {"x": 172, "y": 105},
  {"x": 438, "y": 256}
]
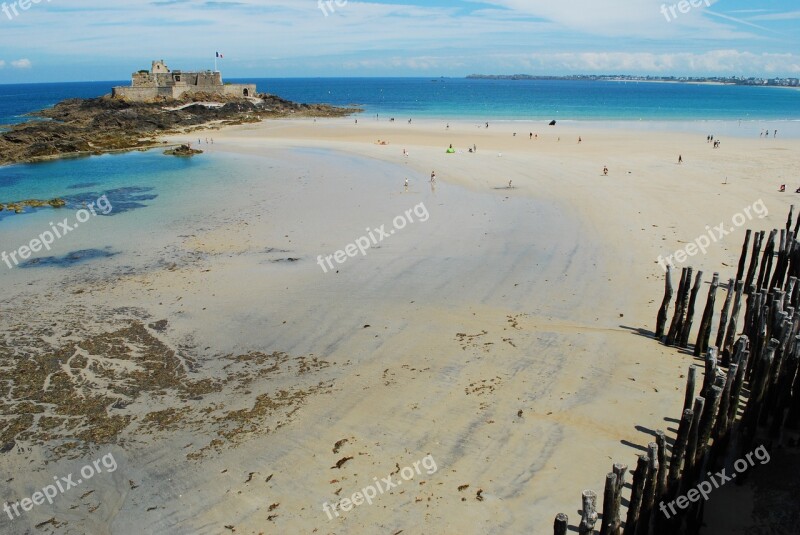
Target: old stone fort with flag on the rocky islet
[{"x": 162, "y": 82}]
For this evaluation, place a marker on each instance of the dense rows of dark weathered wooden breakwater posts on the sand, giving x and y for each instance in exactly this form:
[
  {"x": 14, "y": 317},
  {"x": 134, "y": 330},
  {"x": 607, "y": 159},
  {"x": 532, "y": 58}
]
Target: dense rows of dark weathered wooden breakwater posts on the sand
[{"x": 762, "y": 305}]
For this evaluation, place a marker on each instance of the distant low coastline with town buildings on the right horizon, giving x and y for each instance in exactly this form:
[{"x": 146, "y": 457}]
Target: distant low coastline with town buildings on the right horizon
[{"x": 732, "y": 80}]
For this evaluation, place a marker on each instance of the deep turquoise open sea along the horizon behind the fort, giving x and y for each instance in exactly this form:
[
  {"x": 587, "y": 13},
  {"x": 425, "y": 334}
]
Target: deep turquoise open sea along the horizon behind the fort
[{"x": 483, "y": 99}]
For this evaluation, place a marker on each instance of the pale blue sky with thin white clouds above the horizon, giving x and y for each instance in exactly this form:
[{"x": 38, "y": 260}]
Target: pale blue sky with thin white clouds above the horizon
[{"x": 72, "y": 40}]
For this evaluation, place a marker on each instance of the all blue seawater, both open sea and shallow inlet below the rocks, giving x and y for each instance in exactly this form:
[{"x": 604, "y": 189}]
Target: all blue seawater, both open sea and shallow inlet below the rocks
[{"x": 145, "y": 186}]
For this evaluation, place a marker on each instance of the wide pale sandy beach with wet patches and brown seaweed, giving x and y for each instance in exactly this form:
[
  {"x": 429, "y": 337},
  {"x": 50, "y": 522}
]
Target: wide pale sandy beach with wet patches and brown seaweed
[{"x": 503, "y": 332}]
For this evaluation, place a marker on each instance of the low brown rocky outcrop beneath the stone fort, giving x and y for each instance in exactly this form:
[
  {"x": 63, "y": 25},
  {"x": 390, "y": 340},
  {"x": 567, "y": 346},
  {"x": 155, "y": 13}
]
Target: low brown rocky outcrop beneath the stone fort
[{"x": 94, "y": 126}]
